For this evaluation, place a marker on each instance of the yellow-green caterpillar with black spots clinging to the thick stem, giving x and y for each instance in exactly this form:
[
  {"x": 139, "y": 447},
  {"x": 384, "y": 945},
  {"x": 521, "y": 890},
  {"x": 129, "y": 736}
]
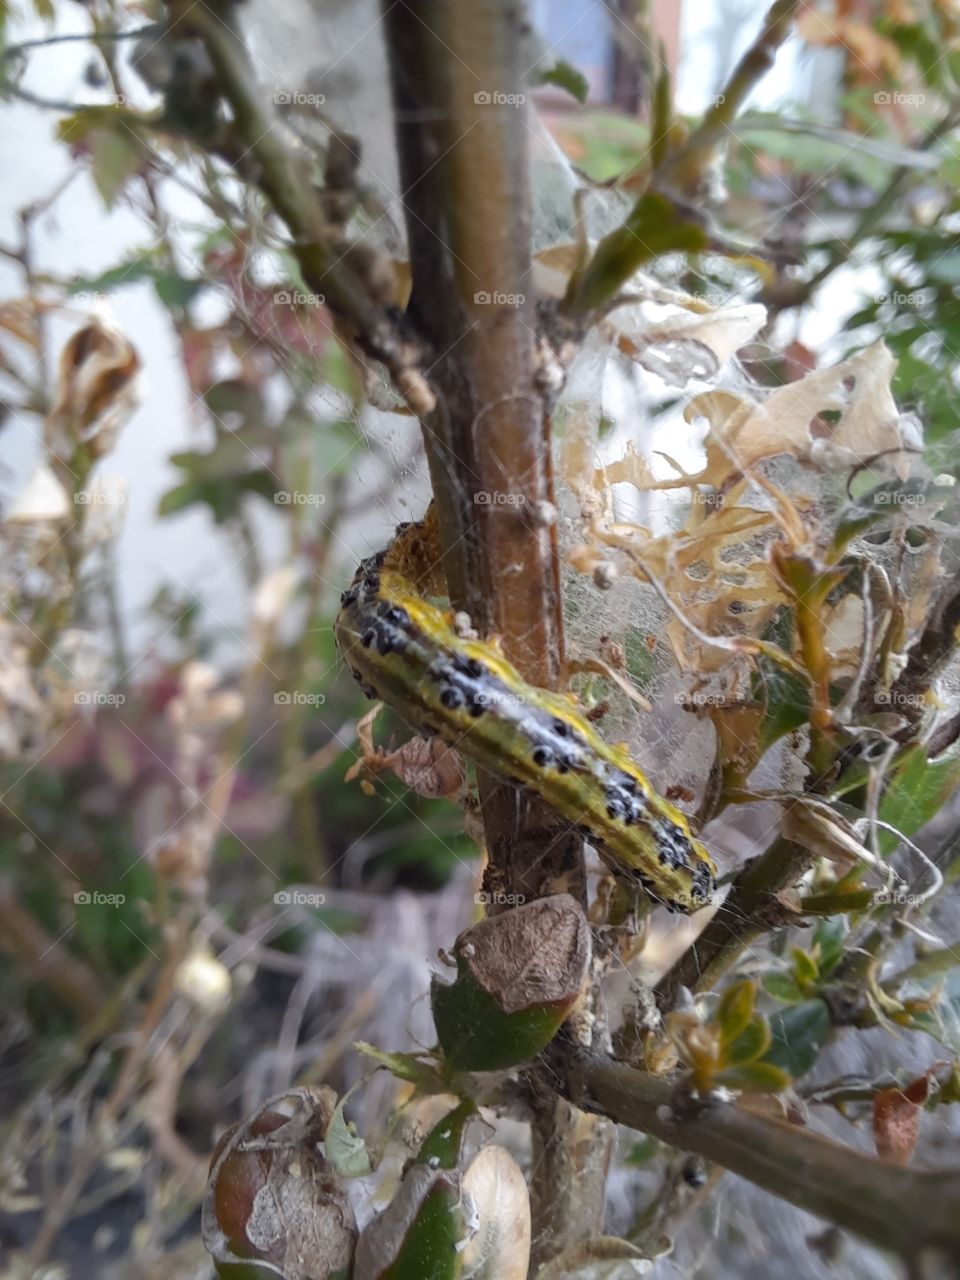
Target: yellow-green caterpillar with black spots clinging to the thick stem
[{"x": 406, "y": 652}]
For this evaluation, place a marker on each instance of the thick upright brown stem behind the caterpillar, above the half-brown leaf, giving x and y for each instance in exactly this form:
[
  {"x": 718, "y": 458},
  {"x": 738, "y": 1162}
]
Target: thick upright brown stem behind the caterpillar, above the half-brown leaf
[{"x": 456, "y": 75}]
